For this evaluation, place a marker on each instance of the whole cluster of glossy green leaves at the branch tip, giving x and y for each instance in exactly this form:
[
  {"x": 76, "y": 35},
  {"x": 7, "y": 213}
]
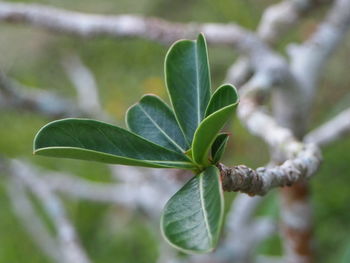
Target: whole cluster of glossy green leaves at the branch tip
[{"x": 185, "y": 136}]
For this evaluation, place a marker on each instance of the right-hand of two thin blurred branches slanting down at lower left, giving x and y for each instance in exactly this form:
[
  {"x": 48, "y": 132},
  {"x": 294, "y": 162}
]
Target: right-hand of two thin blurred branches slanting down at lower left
[{"x": 70, "y": 248}]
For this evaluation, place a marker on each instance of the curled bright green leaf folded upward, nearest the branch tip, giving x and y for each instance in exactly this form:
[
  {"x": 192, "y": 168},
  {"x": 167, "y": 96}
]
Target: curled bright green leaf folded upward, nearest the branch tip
[{"x": 220, "y": 108}]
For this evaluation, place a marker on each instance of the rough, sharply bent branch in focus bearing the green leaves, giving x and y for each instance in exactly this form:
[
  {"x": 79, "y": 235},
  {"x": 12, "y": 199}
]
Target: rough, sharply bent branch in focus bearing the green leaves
[{"x": 303, "y": 160}]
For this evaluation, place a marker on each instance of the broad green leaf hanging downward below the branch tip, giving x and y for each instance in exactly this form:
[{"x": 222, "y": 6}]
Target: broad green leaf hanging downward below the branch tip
[{"x": 192, "y": 218}]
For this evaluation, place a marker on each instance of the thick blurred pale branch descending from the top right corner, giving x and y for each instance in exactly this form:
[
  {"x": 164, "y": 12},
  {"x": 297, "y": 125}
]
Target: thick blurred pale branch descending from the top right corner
[{"x": 292, "y": 105}]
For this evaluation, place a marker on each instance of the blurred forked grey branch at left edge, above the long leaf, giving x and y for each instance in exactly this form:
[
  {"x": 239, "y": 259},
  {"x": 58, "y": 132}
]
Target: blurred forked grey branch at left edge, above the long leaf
[{"x": 15, "y": 96}]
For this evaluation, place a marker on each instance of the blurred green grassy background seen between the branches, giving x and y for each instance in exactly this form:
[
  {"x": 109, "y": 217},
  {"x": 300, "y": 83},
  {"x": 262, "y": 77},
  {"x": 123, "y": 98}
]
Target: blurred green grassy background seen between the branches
[{"x": 125, "y": 69}]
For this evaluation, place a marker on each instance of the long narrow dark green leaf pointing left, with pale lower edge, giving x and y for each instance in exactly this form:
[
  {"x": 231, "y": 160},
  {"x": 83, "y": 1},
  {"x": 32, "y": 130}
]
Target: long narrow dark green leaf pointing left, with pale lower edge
[{"x": 97, "y": 141}]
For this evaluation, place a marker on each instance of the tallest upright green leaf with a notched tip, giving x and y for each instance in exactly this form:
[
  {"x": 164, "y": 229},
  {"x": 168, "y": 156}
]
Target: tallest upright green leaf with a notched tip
[{"x": 187, "y": 78}]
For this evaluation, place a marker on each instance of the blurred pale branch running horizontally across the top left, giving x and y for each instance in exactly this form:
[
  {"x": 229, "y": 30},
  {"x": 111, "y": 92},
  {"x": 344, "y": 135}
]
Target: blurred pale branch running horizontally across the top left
[{"x": 91, "y": 25}]
